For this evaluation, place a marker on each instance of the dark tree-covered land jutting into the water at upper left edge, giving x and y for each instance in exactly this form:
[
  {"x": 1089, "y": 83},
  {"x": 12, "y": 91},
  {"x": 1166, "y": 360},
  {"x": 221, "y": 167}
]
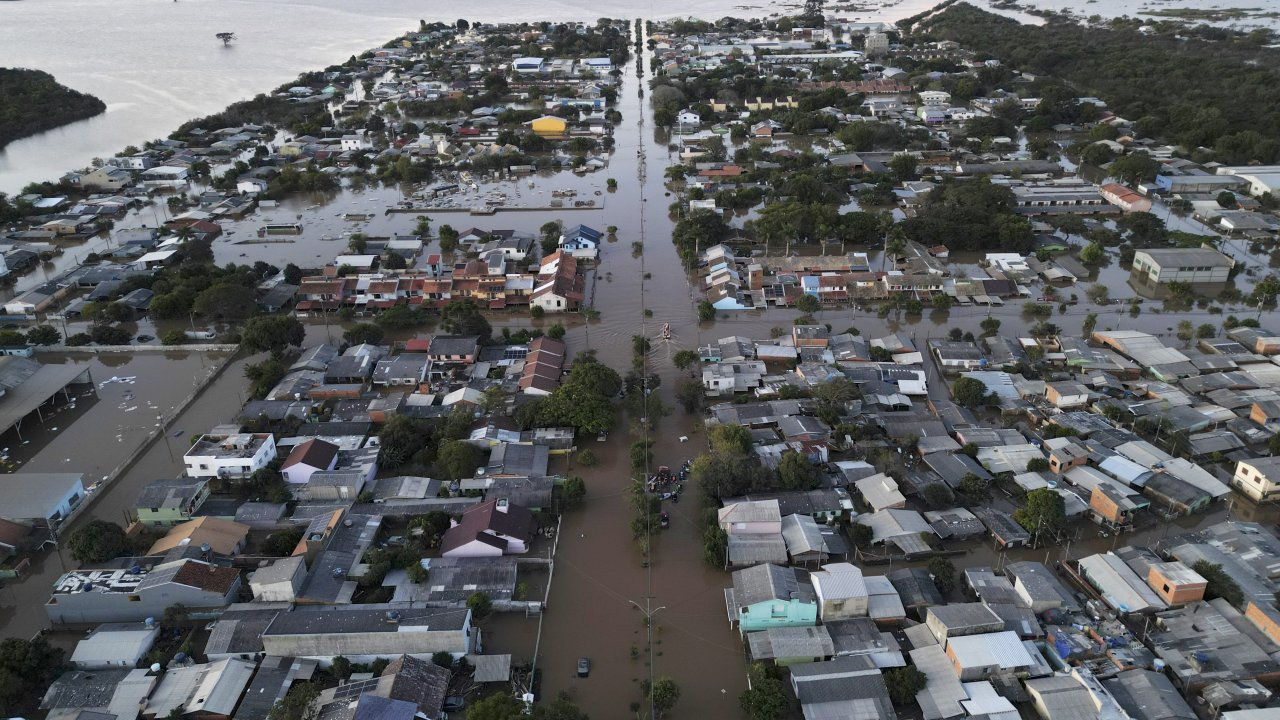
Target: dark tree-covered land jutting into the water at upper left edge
[{"x": 31, "y": 103}]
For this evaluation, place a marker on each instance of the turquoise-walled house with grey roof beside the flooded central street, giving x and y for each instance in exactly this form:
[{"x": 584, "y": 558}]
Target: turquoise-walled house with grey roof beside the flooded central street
[{"x": 771, "y": 596}]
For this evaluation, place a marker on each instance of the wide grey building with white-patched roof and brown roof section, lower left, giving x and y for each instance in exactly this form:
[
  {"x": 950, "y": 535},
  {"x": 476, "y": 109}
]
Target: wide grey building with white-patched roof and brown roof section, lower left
[{"x": 136, "y": 594}]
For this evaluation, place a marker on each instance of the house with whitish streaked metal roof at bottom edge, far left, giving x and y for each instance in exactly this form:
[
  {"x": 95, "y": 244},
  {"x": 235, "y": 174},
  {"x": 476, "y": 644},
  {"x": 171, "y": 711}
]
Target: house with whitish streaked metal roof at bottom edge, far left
[{"x": 208, "y": 691}]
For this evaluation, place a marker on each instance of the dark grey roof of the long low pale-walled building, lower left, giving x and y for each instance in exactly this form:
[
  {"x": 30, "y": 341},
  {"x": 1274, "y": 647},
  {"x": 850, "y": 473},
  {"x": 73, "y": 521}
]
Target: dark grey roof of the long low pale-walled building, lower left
[{"x": 310, "y": 621}]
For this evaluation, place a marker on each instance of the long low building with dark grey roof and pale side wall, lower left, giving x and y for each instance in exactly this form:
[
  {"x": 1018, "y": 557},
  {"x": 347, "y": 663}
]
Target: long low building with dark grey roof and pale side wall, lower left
[{"x": 367, "y": 634}]
